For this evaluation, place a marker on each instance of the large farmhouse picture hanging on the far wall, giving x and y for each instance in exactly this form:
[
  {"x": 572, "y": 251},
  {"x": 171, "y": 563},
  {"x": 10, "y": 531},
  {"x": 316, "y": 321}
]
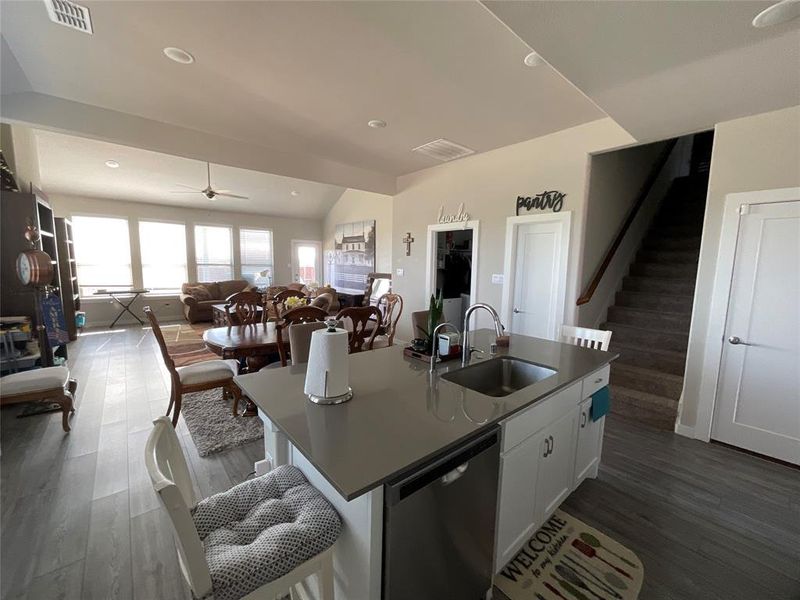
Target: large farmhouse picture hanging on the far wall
[{"x": 353, "y": 256}]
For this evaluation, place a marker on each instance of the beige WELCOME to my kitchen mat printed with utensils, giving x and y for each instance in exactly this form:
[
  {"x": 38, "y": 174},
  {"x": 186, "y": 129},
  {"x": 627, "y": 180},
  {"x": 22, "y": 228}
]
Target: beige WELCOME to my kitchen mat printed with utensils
[{"x": 568, "y": 560}]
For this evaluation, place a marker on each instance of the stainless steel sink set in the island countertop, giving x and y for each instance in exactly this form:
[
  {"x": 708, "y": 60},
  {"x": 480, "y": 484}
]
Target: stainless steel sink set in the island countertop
[{"x": 499, "y": 376}]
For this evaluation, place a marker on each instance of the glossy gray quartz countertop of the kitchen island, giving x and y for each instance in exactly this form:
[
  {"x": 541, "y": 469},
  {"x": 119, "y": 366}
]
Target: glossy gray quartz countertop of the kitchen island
[{"x": 401, "y": 416}]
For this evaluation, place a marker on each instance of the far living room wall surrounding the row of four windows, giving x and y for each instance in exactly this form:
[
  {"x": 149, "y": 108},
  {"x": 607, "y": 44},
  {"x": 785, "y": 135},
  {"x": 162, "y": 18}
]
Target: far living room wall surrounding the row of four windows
[{"x": 283, "y": 230}]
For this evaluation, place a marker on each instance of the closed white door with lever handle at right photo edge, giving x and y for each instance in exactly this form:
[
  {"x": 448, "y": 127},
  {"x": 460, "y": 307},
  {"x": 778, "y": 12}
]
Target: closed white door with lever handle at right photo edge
[{"x": 758, "y": 395}]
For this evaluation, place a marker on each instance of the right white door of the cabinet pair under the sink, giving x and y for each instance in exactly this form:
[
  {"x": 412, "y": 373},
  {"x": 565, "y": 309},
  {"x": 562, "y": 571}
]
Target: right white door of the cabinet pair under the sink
[{"x": 556, "y": 465}]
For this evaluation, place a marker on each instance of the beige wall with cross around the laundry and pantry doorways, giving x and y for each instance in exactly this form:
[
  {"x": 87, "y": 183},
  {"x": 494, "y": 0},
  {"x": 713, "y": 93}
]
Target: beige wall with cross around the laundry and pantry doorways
[{"x": 488, "y": 185}]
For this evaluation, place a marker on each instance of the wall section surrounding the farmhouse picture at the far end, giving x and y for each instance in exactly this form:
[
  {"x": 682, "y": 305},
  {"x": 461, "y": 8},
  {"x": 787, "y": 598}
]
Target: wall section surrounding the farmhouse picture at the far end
[{"x": 358, "y": 205}]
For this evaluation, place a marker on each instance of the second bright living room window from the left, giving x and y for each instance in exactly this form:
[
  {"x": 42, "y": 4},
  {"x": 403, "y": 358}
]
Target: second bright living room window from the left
[{"x": 163, "y": 248}]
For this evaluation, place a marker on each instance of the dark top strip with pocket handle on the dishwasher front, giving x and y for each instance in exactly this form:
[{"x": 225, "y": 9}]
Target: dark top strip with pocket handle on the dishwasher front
[{"x": 444, "y": 470}]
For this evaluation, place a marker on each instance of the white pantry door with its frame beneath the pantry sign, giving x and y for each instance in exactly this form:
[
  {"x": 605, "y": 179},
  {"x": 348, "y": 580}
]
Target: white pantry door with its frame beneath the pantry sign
[{"x": 537, "y": 250}]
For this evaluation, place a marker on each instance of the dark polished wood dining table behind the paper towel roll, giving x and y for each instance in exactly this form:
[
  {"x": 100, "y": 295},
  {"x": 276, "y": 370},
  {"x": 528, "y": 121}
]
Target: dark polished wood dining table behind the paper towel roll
[{"x": 256, "y": 344}]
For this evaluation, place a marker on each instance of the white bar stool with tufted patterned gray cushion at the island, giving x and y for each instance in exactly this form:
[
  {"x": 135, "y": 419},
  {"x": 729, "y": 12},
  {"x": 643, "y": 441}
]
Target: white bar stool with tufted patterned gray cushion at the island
[{"x": 258, "y": 540}]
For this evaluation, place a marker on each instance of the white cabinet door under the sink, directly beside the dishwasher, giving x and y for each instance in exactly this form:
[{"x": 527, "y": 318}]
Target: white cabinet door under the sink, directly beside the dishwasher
[{"x": 517, "y": 502}]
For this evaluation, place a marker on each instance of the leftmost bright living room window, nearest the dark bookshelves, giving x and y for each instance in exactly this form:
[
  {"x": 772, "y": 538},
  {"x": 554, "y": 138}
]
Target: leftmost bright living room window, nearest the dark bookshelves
[{"x": 102, "y": 253}]
